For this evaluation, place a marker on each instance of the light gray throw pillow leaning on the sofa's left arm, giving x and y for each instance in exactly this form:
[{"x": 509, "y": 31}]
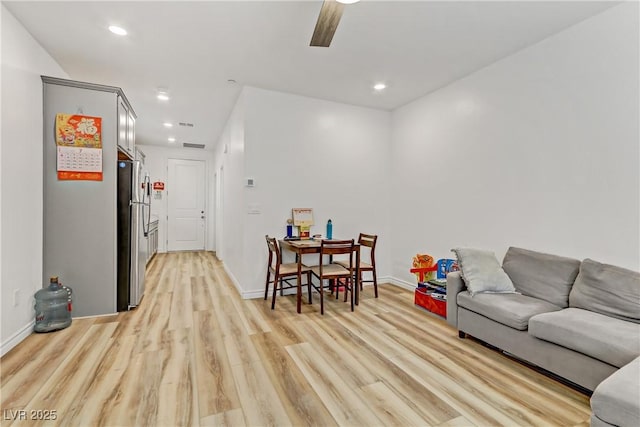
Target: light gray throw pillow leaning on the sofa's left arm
[{"x": 482, "y": 273}]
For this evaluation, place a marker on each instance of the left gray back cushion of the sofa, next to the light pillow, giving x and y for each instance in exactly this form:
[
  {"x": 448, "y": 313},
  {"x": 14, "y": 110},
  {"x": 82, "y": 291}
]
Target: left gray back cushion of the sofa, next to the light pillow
[{"x": 545, "y": 276}]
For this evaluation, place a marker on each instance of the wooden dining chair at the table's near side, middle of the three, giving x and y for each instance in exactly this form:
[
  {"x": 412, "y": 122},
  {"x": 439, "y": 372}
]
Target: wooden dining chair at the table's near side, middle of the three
[{"x": 333, "y": 271}]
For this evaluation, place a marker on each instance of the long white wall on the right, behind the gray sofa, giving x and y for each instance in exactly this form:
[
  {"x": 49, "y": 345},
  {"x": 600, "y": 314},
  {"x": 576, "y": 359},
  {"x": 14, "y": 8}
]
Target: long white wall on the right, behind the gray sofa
[{"x": 539, "y": 150}]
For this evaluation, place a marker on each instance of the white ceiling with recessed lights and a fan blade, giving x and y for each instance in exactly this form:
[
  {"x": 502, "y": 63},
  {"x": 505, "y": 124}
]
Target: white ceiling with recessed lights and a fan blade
[{"x": 193, "y": 48}]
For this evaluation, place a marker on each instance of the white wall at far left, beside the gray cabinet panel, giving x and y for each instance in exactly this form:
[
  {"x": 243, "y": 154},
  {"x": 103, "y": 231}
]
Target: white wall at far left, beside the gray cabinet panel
[{"x": 23, "y": 62}]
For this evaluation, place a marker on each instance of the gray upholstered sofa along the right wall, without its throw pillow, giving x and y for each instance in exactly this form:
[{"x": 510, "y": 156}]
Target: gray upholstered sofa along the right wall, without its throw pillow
[{"x": 578, "y": 320}]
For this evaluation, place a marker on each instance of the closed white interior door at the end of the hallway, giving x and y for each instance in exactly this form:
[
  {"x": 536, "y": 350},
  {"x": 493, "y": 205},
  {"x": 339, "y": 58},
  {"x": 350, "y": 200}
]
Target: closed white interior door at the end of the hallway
[{"x": 186, "y": 205}]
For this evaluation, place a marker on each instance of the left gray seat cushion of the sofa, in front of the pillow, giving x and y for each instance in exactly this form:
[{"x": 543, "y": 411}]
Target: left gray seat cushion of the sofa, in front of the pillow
[{"x": 513, "y": 310}]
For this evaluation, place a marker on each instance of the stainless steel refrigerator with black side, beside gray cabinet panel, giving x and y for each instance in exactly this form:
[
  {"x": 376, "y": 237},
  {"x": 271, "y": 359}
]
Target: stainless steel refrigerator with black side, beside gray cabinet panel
[{"x": 134, "y": 212}]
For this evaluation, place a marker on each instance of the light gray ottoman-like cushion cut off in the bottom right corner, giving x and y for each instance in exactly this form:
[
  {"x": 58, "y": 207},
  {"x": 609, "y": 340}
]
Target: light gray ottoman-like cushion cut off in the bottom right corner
[{"x": 616, "y": 400}]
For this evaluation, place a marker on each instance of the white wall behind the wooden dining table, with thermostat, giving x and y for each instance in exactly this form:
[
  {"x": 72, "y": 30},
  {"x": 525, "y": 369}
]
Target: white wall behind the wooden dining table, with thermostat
[{"x": 305, "y": 152}]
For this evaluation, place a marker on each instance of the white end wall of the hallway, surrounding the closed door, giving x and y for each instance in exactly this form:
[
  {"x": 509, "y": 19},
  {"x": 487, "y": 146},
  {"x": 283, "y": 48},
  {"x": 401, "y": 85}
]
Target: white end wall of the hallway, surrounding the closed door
[{"x": 156, "y": 162}]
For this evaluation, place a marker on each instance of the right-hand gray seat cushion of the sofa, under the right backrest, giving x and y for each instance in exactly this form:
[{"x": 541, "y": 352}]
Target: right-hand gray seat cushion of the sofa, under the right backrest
[{"x": 605, "y": 338}]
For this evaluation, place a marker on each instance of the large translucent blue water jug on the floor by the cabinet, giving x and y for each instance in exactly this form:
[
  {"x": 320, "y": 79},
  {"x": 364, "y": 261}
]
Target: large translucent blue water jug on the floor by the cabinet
[{"x": 53, "y": 307}]
